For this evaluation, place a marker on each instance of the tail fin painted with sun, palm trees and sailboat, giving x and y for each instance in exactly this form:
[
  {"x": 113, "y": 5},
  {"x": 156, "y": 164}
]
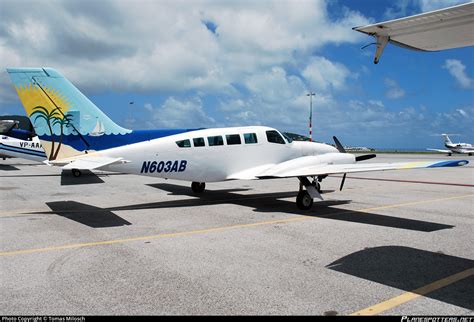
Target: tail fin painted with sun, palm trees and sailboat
[{"x": 65, "y": 120}]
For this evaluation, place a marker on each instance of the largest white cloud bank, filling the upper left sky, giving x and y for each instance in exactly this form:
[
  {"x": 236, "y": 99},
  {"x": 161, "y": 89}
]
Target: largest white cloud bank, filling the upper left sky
[{"x": 166, "y": 46}]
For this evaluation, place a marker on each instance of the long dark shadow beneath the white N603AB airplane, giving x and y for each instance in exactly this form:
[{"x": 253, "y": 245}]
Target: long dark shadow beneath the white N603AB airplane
[{"x": 97, "y": 217}]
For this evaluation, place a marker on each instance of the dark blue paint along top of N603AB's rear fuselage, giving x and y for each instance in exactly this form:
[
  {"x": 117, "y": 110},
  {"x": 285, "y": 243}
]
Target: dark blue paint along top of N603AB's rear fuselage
[{"x": 108, "y": 141}]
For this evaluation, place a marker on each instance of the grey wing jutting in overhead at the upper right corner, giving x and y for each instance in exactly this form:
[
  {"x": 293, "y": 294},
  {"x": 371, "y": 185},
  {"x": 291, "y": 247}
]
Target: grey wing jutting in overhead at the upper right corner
[{"x": 446, "y": 28}]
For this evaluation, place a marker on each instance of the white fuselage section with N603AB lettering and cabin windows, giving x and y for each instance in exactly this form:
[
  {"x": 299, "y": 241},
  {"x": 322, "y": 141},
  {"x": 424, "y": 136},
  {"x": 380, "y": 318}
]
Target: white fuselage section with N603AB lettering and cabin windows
[{"x": 220, "y": 154}]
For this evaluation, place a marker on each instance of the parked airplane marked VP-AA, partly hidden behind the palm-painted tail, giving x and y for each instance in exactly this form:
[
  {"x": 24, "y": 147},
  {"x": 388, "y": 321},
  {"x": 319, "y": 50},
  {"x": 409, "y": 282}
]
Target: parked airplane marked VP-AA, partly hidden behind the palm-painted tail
[{"x": 19, "y": 143}]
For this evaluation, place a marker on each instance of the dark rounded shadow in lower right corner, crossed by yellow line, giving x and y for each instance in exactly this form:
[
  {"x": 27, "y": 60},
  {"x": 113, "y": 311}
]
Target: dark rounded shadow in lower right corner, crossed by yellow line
[{"x": 408, "y": 269}]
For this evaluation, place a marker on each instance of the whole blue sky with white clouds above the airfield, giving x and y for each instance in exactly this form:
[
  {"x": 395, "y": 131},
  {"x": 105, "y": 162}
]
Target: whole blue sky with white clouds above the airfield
[{"x": 192, "y": 64}]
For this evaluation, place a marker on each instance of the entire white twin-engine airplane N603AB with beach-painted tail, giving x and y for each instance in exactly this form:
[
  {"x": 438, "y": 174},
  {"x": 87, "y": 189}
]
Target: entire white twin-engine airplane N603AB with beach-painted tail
[{"x": 67, "y": 122}]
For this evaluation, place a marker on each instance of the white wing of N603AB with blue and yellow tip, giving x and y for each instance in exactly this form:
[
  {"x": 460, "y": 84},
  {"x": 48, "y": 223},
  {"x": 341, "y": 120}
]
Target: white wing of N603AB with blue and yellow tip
[{"x": 325, "y": 169}]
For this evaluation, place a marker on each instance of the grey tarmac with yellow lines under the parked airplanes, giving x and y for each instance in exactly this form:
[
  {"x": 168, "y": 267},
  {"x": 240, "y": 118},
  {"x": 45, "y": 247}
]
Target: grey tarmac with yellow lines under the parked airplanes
[{"x": 389, "y": 243}]
